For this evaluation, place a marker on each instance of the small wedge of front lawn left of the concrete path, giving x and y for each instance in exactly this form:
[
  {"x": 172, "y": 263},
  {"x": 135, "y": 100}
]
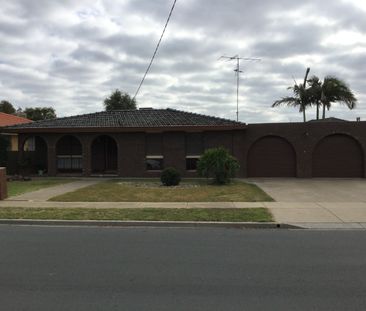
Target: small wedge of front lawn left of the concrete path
[{"x": 20, "y": 187}]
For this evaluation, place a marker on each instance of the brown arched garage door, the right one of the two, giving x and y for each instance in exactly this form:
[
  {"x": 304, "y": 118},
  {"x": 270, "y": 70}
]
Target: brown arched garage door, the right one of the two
[{"x": 338, "y": 156}]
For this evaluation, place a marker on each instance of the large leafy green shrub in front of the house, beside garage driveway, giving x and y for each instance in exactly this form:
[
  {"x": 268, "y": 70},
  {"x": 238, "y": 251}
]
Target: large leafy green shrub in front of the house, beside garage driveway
[{"x": 218, "y": 164}]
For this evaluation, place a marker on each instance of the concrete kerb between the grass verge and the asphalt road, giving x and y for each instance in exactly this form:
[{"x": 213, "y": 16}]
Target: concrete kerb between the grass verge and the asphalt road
[{"x": 157, "y": 224}]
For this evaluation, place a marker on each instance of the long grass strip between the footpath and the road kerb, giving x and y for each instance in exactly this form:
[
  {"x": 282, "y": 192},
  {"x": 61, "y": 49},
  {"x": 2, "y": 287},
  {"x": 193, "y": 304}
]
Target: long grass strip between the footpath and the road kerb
[{"x": 147, "y": 214}]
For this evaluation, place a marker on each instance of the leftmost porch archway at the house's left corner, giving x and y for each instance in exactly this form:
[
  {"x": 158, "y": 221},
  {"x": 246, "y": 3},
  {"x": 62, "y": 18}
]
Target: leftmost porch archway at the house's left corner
[{"x": 35, "y": 155}]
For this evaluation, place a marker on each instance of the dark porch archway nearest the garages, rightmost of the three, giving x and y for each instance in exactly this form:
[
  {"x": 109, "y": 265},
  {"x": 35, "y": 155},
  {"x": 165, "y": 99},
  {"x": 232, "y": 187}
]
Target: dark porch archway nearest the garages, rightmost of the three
[{"x": 104, "y": 153}]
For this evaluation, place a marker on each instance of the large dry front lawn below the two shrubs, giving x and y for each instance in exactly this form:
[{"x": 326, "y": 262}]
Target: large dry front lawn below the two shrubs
[{"x": 152, "y": 191}]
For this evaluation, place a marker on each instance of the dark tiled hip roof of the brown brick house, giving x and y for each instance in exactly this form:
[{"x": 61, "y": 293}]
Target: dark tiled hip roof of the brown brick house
[{"x": 144, "y": 118}]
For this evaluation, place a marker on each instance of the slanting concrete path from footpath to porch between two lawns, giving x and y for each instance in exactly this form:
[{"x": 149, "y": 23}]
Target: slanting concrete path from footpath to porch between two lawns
[{"x": 47, "y": 193}]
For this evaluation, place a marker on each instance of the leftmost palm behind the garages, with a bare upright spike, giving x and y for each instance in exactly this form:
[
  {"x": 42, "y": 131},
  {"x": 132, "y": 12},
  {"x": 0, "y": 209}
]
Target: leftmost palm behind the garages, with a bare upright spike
[{"x": 301, "y": 99}]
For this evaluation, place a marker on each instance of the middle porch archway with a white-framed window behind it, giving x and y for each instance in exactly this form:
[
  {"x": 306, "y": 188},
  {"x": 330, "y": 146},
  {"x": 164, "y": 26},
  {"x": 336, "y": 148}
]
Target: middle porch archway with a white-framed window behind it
[{"x": 69, "y": 155}]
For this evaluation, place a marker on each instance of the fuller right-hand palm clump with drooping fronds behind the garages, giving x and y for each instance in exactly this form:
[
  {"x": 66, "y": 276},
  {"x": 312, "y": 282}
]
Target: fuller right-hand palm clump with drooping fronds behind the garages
[{"x": 331, "y": 90}]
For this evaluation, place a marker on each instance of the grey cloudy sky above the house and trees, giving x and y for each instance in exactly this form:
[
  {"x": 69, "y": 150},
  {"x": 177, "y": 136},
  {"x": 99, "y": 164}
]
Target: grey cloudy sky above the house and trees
[{"x": 71, "y": 54}]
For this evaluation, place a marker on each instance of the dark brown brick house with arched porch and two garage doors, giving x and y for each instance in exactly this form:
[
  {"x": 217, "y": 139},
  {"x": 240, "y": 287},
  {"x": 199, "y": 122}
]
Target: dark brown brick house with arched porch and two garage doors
[{"x": 140, "y": 143}]
